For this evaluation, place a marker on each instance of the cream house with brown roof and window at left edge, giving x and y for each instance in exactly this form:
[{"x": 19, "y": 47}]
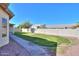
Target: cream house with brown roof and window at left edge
[{"x": 5, "y": 16}]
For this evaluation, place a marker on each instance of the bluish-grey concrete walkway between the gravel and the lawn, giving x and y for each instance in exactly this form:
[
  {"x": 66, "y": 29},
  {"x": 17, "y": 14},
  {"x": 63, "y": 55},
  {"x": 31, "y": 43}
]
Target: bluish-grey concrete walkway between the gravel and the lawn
[{"x": 33, "y": 49}]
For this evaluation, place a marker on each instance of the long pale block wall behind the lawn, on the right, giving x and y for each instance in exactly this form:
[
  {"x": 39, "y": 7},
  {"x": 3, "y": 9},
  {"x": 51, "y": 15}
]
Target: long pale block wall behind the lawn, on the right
[{"x": 60, "y": 32}]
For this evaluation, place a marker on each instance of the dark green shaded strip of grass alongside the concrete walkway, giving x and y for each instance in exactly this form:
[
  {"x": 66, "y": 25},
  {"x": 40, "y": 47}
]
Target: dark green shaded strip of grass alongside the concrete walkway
[{"x": 40, "y": 41}]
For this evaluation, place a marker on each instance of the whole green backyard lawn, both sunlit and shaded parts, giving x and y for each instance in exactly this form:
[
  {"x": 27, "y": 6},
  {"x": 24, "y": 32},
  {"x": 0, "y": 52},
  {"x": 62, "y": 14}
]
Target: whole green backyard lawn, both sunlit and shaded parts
[{"x": 44, "y": 40}]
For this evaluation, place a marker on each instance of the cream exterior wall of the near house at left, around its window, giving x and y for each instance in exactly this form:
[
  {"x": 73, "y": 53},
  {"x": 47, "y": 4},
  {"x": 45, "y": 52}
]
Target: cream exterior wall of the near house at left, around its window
[{"x": 5, "y": 40}]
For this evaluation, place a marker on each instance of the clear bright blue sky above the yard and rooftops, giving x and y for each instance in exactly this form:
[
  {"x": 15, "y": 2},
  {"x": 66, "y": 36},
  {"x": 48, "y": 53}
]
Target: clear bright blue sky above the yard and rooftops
[{"x": 45, "y": 13}]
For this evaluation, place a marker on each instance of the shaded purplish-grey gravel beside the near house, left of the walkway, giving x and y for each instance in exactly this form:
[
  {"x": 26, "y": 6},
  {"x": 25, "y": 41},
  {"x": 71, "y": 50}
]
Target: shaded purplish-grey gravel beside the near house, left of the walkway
[{"x": 13, "y": 49}]
